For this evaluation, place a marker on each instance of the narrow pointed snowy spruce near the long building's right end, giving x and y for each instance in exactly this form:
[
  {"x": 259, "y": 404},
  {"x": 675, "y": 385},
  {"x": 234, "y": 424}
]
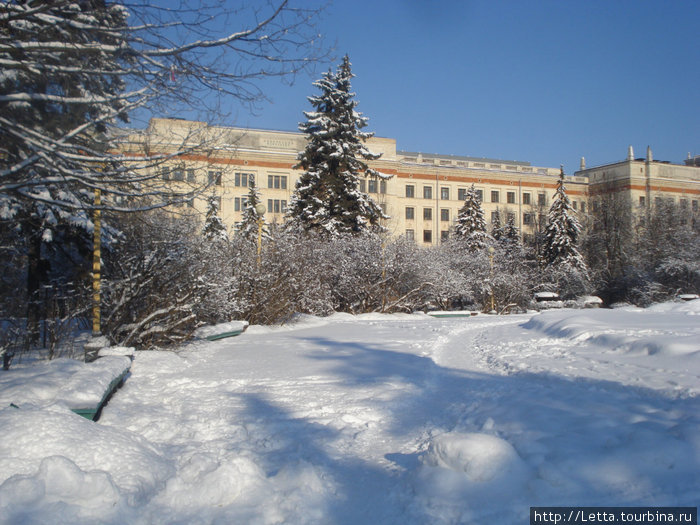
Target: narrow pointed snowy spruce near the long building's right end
[{"x": 562, "y": 232}]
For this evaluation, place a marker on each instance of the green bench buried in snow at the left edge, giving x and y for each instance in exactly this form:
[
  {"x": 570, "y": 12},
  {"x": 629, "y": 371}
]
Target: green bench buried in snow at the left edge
[{"x": 82, "y": 387}]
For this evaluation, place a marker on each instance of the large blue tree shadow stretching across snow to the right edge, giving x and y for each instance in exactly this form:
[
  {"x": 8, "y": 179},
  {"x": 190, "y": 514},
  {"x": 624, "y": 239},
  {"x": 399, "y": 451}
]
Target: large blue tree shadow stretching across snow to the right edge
[{"x": 592, "y": 442}]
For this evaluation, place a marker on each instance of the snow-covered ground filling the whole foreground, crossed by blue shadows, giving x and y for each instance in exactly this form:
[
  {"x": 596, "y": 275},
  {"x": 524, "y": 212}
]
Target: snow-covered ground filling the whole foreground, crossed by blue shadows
[{"x": 377, "y": 419}]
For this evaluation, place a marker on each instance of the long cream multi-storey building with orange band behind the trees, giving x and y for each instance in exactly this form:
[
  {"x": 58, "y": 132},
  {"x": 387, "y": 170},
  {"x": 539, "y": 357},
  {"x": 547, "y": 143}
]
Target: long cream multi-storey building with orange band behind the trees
[{"x": 423, "y": 196}]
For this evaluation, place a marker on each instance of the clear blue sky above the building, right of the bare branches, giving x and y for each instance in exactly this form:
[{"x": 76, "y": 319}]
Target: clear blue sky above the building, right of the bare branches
[{"x": 541, "y": 81}]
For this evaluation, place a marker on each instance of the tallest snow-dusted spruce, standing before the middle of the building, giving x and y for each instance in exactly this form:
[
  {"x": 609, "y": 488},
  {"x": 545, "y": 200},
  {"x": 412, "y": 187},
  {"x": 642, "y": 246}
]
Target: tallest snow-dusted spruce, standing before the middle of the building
[{"x": 327, "y": 197}]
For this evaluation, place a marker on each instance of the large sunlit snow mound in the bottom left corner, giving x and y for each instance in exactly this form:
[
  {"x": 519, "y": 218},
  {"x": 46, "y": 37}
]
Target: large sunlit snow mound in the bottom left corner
[{"x": 78, "y": 451}]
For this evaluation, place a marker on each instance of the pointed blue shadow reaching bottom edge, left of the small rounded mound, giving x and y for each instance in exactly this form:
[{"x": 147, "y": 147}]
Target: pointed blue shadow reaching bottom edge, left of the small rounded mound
[{"x": 351, "y": 490}]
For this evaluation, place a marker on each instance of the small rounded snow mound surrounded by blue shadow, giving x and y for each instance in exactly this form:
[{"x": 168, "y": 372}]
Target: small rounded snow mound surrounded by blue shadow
[{"x": 481, "y": 457}]
